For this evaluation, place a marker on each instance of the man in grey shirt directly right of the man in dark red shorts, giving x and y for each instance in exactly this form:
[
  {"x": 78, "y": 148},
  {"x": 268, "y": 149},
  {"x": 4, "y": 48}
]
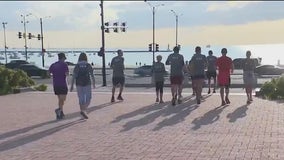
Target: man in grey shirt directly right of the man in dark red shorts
[{"x": 197, "y": 64}]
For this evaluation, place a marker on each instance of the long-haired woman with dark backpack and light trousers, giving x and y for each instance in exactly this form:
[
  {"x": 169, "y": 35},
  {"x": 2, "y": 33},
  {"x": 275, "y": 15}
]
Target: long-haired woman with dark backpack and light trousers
[{"x": 83, "y": 76}]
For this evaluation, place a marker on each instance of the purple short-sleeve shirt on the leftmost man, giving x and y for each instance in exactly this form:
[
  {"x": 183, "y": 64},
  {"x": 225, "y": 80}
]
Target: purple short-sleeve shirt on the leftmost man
[{"x": 58, "y": 71}]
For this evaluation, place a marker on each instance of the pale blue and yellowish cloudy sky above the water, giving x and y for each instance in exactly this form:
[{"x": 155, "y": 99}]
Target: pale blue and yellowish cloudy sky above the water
[{"x": 77, "y": 24}]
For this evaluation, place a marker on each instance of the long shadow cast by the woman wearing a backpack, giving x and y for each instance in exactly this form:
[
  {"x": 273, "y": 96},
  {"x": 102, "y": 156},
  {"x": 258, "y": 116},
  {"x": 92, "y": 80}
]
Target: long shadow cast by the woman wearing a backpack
[{"x": 22, "y": 140}]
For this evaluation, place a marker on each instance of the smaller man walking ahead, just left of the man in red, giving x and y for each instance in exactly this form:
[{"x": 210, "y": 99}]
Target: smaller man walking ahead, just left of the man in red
[{"x": 211, "y": 70}]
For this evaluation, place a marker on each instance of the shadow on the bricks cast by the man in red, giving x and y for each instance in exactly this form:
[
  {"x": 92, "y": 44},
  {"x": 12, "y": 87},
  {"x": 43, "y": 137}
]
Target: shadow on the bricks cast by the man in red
[{"x": 208, "y": 118}]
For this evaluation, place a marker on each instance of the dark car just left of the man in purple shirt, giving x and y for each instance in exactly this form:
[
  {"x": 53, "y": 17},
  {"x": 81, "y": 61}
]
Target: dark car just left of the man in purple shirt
[{"x": 33, "y": 70}]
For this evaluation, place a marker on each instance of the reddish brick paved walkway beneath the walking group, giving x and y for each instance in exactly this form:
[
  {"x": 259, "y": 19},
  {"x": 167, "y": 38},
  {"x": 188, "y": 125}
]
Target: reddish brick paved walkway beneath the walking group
[{"x": 138, "y": 129}]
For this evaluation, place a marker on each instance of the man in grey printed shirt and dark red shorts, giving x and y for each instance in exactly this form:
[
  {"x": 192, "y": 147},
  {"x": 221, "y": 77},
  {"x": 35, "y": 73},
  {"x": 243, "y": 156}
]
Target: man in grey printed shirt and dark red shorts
[{"x": 176, "y": 61}]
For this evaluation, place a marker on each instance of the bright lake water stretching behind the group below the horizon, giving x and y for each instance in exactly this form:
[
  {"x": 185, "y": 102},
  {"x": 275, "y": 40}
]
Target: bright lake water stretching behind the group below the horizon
[{"x": 270, "y": 54}]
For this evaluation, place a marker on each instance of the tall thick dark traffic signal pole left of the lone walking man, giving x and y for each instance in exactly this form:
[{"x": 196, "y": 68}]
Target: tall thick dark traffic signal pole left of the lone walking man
[{"x": 103, "y": 44}]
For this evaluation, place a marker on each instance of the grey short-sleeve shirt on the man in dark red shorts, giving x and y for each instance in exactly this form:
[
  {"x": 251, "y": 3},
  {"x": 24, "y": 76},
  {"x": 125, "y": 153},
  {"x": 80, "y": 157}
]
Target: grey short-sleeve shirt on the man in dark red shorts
[{"x": 177, "y": 62}]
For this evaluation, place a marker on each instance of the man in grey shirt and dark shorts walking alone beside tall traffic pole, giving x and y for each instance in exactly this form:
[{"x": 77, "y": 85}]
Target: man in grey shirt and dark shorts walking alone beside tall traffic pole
[{"x": 118, "y": 78}]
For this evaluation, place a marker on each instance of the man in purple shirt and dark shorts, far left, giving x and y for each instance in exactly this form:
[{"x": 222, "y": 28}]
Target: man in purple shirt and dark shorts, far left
[{"x": 60, "y": 71}]
